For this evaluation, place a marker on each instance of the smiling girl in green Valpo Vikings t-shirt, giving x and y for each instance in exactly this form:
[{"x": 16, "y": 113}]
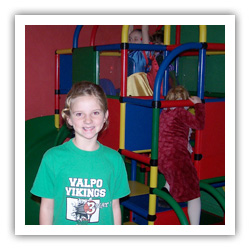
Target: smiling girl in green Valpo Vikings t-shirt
[{"x": 81, "y": 181}]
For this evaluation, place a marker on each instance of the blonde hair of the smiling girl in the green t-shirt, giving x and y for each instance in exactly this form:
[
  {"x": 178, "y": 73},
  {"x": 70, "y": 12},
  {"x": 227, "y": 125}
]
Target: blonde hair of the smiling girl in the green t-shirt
[{"x": 85, "y": 88}]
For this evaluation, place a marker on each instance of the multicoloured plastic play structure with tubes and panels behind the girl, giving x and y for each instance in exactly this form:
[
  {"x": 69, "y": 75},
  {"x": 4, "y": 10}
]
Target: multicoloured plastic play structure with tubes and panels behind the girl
[{"x": 134, "y": 120}]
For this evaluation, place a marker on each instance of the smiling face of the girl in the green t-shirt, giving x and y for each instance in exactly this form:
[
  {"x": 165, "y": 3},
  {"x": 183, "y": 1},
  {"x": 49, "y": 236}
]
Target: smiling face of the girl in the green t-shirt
[{"x": 87, "y": 117}]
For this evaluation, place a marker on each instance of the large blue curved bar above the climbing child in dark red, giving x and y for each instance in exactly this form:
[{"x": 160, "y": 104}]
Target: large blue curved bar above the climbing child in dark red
[{"x": 167, "y": 61}]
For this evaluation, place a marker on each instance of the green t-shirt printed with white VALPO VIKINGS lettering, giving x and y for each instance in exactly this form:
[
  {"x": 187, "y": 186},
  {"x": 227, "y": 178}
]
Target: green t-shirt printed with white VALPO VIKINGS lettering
[{"x": 82, "y": 183}]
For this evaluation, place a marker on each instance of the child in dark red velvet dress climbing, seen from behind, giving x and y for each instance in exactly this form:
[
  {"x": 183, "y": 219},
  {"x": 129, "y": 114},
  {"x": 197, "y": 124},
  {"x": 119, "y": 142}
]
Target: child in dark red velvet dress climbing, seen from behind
[{"x": 174, "y": 151}]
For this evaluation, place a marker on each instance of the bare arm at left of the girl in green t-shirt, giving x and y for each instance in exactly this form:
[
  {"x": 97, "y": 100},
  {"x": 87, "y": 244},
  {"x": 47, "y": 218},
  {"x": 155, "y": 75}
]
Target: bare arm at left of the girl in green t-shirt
[{"x": 46, "y": 211}]
